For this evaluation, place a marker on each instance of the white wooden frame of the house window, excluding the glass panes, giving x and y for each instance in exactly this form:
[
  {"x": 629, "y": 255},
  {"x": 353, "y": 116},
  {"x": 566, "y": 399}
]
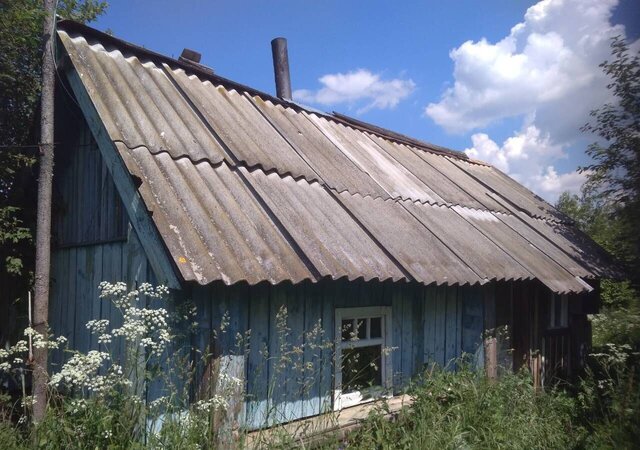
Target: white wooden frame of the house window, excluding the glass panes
[{"x": 344, "y": 400}]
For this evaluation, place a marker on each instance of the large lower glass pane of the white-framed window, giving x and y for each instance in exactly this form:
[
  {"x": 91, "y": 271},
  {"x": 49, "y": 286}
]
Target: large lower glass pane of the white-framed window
[{"x": 361, "y": 368}]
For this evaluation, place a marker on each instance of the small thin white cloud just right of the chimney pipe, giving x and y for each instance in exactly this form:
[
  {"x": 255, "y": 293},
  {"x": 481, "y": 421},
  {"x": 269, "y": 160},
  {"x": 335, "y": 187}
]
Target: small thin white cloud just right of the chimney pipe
[{"x": 357, "y": 87}]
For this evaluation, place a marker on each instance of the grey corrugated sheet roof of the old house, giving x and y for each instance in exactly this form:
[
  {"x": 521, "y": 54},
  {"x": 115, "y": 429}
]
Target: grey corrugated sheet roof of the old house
[{"x": 245, "y": 187}]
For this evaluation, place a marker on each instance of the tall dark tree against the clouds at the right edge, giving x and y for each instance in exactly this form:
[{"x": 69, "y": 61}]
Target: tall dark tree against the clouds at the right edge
[{"x": 613, "y": 178}]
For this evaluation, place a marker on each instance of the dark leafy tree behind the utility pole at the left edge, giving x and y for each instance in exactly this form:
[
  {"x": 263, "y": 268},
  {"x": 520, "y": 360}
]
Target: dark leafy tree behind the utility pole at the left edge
[{"x": 21, "y": 24}]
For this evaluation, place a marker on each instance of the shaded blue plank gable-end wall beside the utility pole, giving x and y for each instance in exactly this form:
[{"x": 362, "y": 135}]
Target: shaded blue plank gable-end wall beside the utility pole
[{"x": 92, "y": 241}]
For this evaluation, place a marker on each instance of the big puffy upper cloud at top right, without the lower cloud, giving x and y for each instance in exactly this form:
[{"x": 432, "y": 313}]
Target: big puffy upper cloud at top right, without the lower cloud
[{"x": 546, "y": 61}]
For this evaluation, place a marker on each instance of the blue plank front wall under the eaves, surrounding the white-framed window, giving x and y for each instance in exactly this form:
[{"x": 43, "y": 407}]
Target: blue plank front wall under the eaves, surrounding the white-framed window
[{"x": 430, "y": 325}]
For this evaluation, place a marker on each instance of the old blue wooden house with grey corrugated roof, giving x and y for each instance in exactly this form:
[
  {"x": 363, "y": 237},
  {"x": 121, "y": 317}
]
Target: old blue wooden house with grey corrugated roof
[{"x": 246, "y": 202}]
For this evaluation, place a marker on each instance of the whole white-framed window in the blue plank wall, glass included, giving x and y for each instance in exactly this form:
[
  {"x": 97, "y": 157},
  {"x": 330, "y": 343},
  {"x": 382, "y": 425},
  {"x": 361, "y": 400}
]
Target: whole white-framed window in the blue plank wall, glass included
[{"x": 363, "y": 360}]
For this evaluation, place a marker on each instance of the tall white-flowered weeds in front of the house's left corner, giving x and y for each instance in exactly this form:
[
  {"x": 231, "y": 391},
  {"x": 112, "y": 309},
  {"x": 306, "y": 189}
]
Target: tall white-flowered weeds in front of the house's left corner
[{"x": 97, "y": 399}]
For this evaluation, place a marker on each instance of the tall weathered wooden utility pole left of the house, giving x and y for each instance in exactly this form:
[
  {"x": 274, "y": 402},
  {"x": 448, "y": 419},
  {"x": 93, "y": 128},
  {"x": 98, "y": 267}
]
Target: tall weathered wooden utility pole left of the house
[{"x": 43, "y": 225}]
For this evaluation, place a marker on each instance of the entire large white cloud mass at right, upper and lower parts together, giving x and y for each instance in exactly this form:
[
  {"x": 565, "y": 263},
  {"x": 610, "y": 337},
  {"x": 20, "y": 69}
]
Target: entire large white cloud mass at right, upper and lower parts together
[{"x": 544, "y": 71}]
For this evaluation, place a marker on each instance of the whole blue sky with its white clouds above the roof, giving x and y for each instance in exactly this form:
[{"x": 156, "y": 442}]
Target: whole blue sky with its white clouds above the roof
[{"x": 457, "y": 74}]
